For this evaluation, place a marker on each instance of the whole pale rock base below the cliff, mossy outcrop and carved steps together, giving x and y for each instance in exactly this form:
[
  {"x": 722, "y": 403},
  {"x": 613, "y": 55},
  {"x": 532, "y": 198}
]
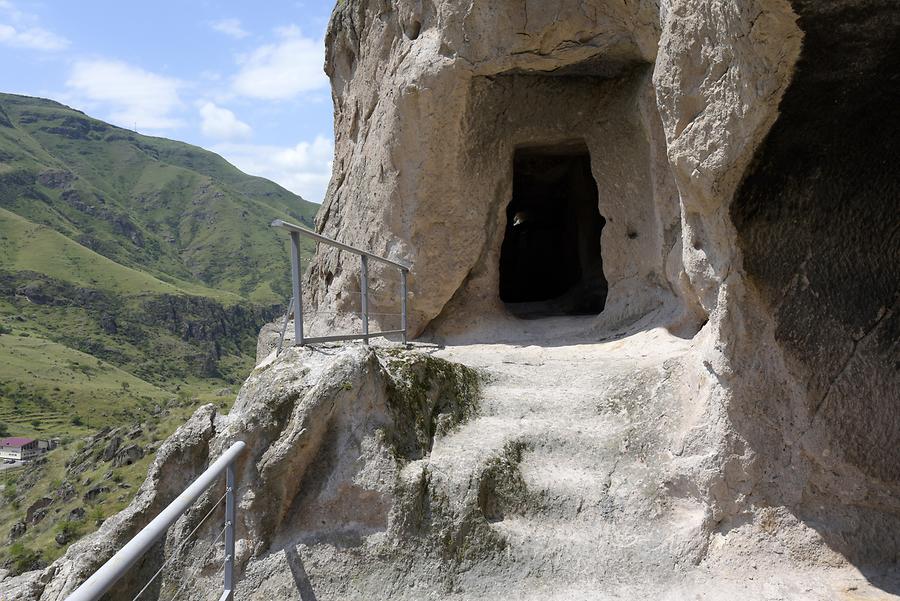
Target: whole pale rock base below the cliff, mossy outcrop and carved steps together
[{"x": 583, "y": 471}]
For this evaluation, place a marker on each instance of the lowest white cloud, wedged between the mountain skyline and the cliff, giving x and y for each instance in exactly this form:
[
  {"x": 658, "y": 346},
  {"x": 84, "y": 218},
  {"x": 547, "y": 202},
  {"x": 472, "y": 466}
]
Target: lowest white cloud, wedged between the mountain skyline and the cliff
[{"x": 304, "y": 169}]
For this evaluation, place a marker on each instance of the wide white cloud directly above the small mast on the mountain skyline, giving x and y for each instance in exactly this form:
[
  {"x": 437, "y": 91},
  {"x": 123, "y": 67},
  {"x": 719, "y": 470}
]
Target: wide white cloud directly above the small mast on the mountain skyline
[{"x": 133, "y": 96}]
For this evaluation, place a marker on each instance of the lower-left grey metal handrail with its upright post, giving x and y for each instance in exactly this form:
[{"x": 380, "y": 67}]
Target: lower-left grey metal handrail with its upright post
[{"x": 109, "y": 573}]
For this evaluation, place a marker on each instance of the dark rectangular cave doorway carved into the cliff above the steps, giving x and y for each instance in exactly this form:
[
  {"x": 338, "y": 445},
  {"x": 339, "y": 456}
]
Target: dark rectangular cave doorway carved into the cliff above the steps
[{"x": 550, "y": 260}]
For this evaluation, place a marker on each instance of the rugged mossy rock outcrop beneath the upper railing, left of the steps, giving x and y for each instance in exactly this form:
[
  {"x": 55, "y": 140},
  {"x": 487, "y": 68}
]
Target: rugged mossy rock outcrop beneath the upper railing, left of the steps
[{"x": 326, "y": 447}]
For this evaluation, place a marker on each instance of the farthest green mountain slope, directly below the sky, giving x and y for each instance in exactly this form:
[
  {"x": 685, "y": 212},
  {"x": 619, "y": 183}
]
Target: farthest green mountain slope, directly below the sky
[{"x": 172, "y": 210}]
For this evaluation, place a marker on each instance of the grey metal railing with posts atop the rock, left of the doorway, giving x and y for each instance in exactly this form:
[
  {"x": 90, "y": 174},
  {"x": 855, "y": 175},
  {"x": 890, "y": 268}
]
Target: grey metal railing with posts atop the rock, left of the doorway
[{"x": 296, "y": 304}]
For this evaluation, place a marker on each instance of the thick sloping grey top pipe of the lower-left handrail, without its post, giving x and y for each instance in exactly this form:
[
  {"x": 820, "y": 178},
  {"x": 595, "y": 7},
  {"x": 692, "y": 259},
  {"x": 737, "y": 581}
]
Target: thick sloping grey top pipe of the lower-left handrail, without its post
[{"x": 110, "y": 572}]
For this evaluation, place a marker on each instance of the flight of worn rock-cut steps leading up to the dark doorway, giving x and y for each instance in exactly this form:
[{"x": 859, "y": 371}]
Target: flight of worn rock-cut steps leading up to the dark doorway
[{"x": 568, "y": 463}]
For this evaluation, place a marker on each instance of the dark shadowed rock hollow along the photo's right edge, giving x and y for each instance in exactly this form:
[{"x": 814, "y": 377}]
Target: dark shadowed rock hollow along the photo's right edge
[{"x": 816, "y": 221}]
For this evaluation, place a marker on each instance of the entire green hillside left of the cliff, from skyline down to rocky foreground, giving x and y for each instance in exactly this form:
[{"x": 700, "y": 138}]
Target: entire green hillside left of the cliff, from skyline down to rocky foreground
[{"x": 135, "y": 273}]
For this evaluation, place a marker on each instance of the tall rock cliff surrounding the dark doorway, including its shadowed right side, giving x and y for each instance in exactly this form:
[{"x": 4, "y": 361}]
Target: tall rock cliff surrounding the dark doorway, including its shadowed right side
[{"x": 740, "y": 162}]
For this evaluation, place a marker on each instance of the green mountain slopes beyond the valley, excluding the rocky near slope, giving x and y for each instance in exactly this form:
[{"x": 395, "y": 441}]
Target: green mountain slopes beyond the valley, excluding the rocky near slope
[{"x": 151, "y": 255}]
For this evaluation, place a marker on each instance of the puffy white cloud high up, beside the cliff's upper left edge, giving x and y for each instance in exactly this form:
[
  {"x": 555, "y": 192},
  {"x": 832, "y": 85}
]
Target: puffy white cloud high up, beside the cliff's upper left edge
[{"x": 279, "y": 71}]
